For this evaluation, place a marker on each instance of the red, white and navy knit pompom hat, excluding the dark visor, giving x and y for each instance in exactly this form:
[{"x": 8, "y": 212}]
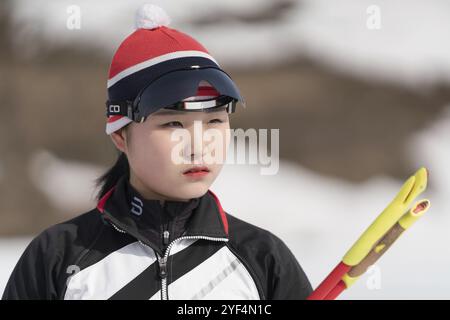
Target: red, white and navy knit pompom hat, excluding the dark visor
[{"x": 152, "y": 50}]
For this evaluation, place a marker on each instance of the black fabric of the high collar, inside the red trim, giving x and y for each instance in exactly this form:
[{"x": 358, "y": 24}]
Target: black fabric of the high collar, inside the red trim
[{"x": 193, "y": 217}]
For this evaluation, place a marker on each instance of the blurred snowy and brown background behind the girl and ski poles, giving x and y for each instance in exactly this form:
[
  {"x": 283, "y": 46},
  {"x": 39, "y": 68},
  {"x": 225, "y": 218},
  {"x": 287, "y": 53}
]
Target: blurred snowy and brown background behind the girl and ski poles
[{"x": 360, "y": 91}]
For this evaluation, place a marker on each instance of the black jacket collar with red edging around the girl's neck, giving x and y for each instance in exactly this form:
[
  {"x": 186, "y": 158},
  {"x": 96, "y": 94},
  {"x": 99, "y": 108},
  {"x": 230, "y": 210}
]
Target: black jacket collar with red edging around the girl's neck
[{"x": 130, "y": 212}]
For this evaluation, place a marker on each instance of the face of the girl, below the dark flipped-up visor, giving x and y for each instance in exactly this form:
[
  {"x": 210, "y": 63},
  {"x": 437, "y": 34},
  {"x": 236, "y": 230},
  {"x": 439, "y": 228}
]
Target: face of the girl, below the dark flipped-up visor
[{"x": 155, "y": 169}]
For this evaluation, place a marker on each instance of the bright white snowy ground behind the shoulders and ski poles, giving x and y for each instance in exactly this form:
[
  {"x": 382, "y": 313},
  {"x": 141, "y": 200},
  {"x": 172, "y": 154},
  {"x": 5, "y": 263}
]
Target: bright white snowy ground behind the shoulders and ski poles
[{"x": 319, "y": 218}]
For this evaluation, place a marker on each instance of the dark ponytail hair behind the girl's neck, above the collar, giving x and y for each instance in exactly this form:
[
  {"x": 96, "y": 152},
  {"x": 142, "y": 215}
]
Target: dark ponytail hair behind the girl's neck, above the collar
[{"x": 110, "y": 177}]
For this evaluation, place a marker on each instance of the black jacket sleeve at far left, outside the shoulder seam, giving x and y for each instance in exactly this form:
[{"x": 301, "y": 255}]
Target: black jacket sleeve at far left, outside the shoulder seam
[{"x": 32, "y": 277}]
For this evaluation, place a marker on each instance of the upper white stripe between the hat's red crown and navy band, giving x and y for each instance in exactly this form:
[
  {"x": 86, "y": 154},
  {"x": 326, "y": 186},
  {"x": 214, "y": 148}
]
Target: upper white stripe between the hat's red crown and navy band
[{"x": 156, "y": 60}]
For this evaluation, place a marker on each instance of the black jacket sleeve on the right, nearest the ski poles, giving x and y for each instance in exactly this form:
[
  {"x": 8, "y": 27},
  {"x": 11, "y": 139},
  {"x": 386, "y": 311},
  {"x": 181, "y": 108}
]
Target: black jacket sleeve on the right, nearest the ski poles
[{"x": 289, "y": 281}]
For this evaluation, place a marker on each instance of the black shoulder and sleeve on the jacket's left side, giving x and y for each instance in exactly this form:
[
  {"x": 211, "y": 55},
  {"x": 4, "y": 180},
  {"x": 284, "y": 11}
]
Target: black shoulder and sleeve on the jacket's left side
[{"x": 47, "y": 263}]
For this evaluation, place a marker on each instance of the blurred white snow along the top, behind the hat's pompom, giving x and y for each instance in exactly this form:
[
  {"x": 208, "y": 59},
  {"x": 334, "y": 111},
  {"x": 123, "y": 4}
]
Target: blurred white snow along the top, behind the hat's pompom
[{"x": 409, "y": 48}]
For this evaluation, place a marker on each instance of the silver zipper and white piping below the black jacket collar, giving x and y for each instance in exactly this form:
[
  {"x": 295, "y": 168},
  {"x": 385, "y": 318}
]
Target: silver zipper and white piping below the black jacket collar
[{"x": 162, "y": 260}]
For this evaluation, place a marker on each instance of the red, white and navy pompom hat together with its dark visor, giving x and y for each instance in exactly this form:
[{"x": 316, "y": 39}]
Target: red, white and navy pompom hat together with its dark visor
[{"x": 157, "y": 65}]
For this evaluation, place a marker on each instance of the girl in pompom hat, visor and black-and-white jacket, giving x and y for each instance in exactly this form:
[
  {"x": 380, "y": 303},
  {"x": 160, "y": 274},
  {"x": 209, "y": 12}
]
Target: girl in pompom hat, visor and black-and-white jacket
[{"x": 158, "y": 232}]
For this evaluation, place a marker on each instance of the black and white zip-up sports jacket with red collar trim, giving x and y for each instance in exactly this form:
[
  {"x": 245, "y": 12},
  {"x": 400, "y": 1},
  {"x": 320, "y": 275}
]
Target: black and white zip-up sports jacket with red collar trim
[{"x": 132, "y": 248}]
